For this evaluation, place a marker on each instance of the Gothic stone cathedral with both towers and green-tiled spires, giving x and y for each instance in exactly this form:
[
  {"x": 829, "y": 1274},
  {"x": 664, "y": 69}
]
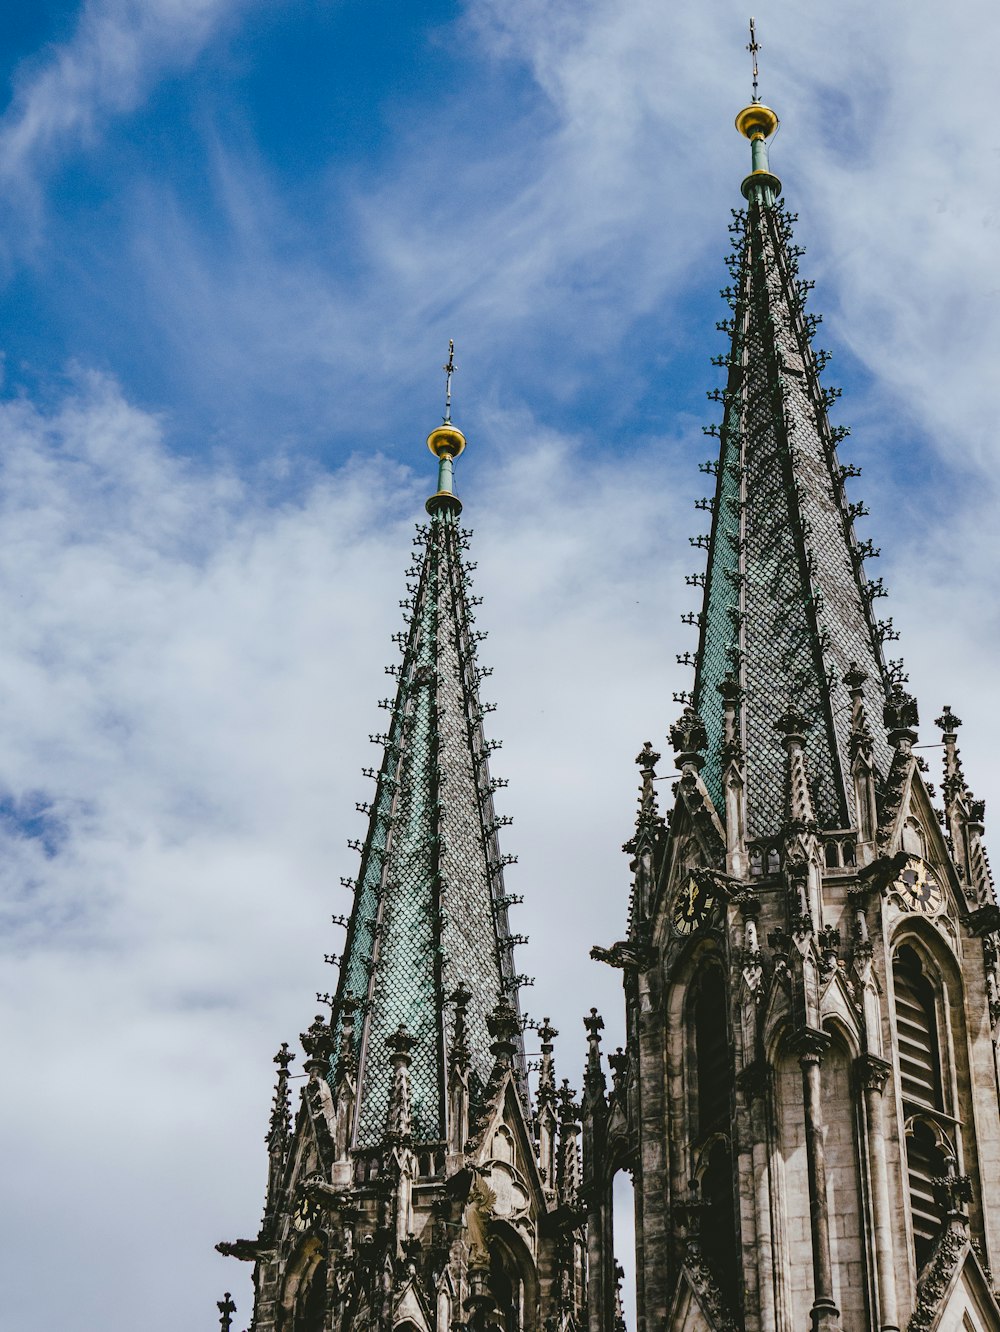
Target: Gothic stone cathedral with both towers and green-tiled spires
[{"x": 808, "y": 1101}]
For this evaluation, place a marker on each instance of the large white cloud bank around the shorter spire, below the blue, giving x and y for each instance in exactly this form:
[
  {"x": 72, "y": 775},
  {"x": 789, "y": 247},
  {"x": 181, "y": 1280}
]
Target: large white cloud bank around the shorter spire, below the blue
[{"x": 190, "y": 676}]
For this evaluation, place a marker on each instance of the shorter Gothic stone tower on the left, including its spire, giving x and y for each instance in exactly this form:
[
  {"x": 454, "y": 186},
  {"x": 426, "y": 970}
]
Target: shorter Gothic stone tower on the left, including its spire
[{"x": 416, "y": 1187}]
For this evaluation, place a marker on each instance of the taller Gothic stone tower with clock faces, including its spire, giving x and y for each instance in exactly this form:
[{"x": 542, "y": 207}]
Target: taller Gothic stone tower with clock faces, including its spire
[{"x": 809, "y": 1097}]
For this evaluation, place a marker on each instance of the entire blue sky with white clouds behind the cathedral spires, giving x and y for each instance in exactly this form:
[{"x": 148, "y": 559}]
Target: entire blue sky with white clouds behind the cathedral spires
[{"x": 235, "y": 239}]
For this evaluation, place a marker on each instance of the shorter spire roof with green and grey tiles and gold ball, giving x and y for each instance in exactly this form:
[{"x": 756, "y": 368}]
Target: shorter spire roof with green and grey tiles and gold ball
[{"x": 429, "y": 905}]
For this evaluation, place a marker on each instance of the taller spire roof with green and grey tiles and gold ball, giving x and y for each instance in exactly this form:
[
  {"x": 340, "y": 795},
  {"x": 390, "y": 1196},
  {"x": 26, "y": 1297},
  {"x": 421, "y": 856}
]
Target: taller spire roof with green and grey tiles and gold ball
[{"x": 788, "y": 607}]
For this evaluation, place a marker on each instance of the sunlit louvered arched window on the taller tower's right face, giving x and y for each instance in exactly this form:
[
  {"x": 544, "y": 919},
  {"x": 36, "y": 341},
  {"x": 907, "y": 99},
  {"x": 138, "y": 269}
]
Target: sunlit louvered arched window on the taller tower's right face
[{"x": 921, "y": 1084}]
